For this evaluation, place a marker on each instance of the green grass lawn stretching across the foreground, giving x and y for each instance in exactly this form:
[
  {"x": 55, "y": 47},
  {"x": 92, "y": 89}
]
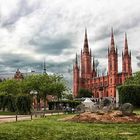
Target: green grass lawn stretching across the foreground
[{"x": 51, "y": 129}]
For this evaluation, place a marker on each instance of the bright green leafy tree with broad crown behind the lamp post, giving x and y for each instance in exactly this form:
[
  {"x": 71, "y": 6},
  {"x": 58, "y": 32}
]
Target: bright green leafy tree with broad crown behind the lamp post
[{"x": 44, "y": 85}]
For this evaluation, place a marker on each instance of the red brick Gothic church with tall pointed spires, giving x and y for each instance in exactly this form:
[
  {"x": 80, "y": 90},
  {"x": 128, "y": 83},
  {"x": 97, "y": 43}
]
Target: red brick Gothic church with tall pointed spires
[{"x": 85, "y": 74}]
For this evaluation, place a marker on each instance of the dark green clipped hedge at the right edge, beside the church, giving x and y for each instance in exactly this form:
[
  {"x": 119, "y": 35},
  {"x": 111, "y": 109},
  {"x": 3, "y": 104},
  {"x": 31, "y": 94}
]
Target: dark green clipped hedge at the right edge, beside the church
[{"x": 129, "y": 93}]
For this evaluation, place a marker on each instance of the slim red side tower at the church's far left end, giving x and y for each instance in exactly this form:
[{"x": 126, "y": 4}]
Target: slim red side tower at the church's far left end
[{"x": 75, "y": 77}]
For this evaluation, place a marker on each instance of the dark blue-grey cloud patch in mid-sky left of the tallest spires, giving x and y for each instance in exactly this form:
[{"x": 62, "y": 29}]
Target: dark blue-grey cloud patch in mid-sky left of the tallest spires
[{"x": 52, "y": 46}]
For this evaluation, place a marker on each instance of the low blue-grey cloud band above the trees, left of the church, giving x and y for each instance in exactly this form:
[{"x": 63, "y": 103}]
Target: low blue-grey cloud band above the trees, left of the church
[{"x": 15, "y": 61}]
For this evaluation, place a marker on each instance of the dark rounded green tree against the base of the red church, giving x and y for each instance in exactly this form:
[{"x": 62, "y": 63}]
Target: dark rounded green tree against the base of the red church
[{"x": 84, "y": 93}]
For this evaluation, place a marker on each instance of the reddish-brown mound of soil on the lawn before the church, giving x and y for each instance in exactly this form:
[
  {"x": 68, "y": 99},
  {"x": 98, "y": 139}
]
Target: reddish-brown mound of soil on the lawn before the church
[{"x": 112, "y": 117}]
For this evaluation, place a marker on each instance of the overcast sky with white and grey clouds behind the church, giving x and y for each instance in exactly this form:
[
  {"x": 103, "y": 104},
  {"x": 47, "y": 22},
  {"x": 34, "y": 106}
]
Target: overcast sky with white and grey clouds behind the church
[{"x": 34, "y": 30}]
